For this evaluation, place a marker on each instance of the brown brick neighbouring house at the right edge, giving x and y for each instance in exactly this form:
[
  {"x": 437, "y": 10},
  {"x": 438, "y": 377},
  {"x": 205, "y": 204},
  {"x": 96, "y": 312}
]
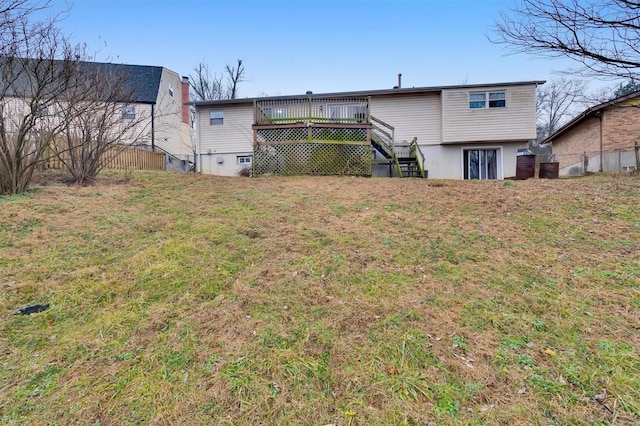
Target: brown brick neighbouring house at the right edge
[{"x": 601, "y": 139}]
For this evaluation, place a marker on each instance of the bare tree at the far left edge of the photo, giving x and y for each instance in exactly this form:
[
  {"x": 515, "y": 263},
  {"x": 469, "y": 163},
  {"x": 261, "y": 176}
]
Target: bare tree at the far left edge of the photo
[{"x": 37, "y": 64}]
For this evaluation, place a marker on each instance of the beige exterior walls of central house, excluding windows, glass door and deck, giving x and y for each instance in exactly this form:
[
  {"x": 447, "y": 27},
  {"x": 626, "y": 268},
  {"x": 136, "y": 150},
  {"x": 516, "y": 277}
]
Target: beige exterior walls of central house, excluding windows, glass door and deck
[{"x": 443, "y": 123}]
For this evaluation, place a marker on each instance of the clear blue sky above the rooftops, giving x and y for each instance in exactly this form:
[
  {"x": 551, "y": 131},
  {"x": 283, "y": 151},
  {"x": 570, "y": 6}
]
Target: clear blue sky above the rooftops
[{"x": 291, "y": 46}]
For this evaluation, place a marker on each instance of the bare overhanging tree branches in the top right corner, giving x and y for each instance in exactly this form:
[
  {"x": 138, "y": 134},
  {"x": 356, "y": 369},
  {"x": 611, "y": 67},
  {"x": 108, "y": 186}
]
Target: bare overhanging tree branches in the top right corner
[{"x": 601, "y": 36}]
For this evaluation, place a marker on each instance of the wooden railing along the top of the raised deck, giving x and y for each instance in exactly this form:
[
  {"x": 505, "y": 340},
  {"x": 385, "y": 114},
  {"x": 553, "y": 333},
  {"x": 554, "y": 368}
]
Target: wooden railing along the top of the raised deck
[{"x": 311, "y": 110}]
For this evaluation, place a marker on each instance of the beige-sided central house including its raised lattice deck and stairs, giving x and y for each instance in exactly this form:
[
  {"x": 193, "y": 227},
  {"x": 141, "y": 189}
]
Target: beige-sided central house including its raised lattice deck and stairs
[{"x": 447, "y": 132}]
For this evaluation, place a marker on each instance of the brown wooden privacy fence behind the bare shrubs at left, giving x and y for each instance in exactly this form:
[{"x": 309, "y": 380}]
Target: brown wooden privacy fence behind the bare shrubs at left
[{"x": 122, "y": 158}]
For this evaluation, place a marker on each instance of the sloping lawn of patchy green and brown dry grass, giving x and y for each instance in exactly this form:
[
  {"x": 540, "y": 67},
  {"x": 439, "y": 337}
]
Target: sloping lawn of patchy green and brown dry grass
[{"x": 186, "y": 299}]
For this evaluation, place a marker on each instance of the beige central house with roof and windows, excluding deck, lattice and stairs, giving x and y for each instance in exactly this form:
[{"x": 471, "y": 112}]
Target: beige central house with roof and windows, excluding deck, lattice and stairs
[{"x": 464, "y": 132}]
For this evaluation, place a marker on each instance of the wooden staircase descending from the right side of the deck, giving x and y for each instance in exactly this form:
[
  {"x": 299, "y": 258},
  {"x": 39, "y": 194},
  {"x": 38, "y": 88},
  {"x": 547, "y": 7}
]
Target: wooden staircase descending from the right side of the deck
[{"x": 407, "y": 158}]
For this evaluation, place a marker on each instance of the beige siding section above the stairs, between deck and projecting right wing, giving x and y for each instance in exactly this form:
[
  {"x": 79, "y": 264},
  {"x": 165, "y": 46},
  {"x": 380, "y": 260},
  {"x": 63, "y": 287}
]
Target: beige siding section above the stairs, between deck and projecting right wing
[{"x": 411, "y": 116}]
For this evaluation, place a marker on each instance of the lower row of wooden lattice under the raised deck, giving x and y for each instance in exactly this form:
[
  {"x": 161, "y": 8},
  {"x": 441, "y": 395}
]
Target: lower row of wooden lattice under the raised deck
[{"x": 312, "y": 159}]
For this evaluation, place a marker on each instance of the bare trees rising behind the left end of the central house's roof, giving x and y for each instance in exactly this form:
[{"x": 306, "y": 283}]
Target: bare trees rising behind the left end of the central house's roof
[{"x": 208, "y": 86}]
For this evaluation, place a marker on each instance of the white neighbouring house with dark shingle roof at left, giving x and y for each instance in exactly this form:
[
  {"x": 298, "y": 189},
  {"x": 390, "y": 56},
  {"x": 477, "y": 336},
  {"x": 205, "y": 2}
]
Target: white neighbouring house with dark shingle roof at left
[{"x": 156, "y": 105}]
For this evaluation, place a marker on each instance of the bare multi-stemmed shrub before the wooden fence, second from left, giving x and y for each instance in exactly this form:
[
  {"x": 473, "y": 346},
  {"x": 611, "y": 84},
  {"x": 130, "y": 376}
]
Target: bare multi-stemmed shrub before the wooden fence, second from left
[{"x": 100, "y": 120}]
